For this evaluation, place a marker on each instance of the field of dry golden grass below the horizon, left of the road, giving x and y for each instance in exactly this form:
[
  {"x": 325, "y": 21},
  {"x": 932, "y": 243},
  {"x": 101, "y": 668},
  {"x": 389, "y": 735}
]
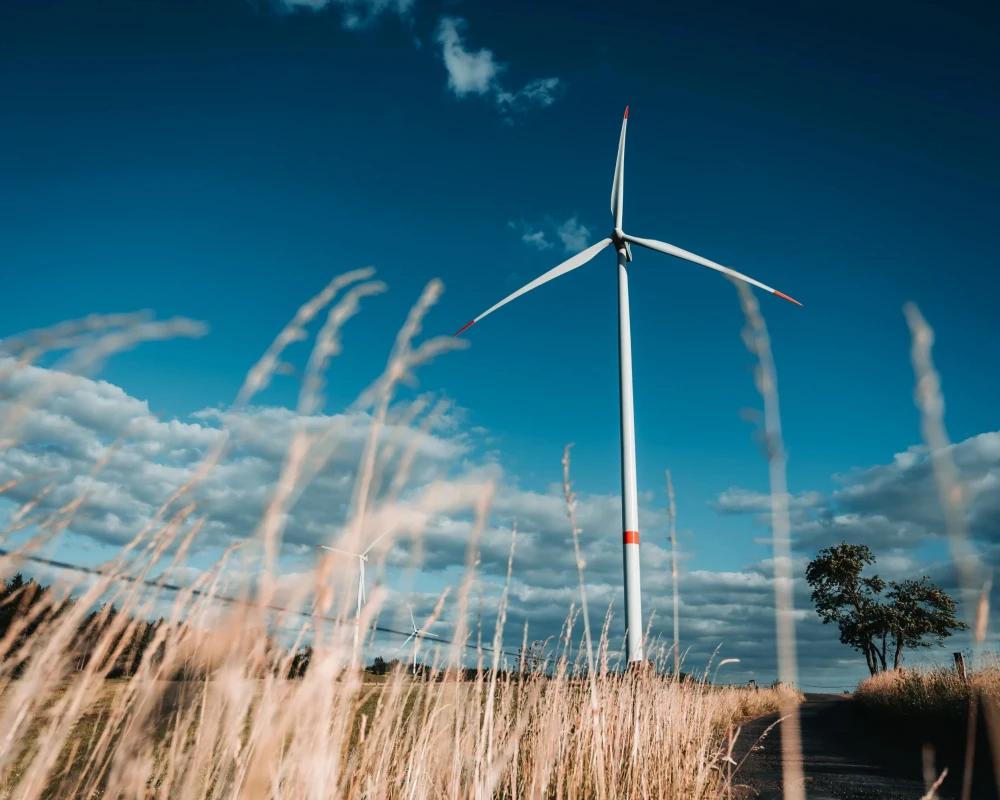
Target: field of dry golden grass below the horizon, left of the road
[{"x": 647, "y": 737}]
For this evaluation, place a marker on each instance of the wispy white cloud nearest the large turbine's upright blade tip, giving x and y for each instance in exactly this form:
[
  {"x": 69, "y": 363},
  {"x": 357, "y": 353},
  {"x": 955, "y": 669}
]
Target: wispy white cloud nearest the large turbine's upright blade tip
[{"x": 478, "y": 72}]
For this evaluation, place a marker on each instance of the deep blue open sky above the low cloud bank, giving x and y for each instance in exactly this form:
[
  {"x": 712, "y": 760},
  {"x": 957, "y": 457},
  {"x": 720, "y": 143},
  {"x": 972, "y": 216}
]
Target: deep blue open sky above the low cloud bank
[{"x": 222, "y": 160}]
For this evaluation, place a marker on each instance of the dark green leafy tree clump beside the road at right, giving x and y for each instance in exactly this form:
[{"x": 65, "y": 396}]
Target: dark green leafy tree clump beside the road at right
[{"x": 912, "y": 613}]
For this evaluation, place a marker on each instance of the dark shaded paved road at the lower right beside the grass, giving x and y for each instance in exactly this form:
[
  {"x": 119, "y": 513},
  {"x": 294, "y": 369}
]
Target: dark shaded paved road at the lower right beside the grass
[{"x": 845, "y": 758}]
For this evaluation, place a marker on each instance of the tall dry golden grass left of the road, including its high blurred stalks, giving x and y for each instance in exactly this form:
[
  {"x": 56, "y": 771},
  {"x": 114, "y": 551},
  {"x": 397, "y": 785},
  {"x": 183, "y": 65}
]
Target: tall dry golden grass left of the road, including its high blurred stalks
[{"x": 235, "y": 725}]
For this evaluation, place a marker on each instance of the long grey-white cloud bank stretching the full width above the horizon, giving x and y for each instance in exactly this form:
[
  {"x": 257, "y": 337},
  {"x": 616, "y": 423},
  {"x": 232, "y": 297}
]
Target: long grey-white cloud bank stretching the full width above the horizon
[{"x": 92, "y": 438}]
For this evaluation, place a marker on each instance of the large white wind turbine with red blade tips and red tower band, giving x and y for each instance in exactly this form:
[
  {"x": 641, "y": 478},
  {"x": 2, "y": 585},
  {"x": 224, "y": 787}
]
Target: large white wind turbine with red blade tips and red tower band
[{"x": 630, "y": 503}]
